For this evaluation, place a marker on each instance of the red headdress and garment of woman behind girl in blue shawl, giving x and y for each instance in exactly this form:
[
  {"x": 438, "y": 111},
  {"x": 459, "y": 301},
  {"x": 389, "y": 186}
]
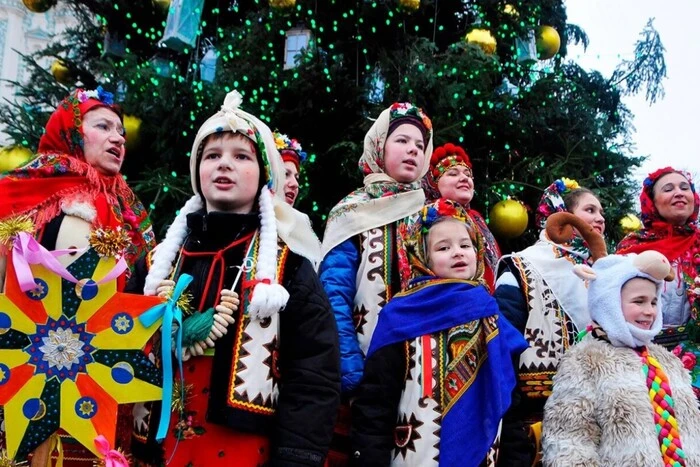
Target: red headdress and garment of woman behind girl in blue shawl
[{"x": 443, "y": 159}]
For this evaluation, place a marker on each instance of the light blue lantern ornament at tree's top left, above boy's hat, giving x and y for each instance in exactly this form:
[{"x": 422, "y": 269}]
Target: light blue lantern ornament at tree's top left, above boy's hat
[{"x": 182, "y": 25}]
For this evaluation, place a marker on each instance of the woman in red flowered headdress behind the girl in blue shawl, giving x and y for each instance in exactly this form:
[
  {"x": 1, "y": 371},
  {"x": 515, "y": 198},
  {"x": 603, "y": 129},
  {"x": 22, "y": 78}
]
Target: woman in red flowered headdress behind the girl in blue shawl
[{"x": 450, "y": 176}]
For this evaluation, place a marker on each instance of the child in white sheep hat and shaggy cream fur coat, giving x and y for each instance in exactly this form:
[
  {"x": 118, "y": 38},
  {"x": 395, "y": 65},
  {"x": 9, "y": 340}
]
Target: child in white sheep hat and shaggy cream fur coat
[{"x": 619, "y": 399}]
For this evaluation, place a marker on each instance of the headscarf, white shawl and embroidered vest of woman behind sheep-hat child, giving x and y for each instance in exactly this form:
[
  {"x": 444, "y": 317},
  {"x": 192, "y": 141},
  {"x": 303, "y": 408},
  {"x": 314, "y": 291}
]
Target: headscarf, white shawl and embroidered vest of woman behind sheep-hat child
[{"x": 539, "y": 295}]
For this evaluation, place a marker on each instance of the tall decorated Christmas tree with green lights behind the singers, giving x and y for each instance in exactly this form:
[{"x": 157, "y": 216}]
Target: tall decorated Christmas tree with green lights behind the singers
[{"x": 493, "y": 76}]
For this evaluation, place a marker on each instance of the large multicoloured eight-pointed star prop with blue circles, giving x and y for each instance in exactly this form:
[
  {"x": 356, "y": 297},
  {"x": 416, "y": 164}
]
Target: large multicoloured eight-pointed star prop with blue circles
[{"x": 70, "y": 353}]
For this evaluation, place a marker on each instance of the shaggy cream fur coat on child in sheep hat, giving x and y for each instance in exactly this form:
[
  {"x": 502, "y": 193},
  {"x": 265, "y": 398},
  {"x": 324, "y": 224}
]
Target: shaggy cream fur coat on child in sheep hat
[{"x": 599, "y": 413}]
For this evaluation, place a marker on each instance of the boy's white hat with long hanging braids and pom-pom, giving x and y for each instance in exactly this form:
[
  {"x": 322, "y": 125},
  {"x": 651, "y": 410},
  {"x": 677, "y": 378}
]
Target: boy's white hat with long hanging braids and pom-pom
[{"x": 276, "y": 216}]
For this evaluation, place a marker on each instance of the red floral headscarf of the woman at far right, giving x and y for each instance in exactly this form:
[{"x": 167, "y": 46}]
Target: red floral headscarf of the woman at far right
[{"x": 679, "y": 243}]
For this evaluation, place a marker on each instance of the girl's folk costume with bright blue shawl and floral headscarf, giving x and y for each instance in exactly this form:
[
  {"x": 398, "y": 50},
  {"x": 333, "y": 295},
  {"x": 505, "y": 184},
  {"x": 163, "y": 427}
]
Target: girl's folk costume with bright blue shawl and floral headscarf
[{"x": 441, "y": 355}]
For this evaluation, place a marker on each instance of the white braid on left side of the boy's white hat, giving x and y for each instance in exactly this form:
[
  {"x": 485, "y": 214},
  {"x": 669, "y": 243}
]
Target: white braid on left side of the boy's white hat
[{"x": 166, "y": 253}]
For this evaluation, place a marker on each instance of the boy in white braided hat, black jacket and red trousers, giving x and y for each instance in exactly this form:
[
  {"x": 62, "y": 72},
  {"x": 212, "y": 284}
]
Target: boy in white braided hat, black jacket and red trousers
[{"x": 261, "y": 377}]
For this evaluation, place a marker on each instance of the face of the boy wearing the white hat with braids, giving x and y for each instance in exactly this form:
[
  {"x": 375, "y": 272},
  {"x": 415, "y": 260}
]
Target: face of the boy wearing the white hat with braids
[{"x": 229, "y": 174}]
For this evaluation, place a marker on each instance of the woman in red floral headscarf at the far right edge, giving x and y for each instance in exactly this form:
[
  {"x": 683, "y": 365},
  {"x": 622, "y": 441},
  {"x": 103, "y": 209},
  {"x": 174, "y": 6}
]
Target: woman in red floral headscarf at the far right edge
[{"x": 670, "y": 206}]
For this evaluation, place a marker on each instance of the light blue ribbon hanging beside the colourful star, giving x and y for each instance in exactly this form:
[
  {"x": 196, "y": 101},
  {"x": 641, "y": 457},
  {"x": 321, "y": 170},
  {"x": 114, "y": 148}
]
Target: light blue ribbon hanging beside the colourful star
[{"x": 170, "y": 312}]
